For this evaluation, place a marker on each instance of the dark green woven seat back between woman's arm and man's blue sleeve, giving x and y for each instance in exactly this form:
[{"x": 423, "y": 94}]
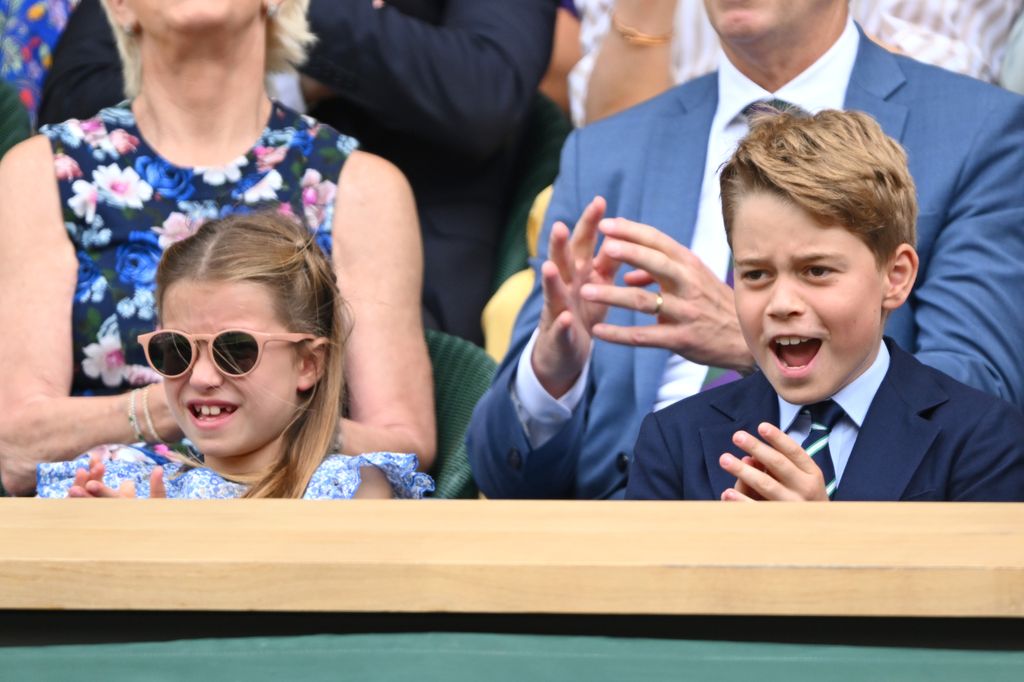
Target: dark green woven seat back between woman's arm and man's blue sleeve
[{"x": 462, "y": 373}]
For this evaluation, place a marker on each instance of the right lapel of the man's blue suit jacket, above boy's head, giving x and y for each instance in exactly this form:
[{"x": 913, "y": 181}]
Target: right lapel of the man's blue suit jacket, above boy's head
[{"x": 877, "y": 75}]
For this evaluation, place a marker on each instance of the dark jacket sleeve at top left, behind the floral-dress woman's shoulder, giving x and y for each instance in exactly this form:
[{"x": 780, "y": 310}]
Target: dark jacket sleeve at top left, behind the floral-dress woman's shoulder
[{"x": 87, "y": 74}]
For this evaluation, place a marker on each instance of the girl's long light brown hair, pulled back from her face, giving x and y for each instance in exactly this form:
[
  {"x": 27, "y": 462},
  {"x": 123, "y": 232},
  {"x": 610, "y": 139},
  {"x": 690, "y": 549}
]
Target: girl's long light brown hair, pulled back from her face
[{"x": 277, "y": 252}]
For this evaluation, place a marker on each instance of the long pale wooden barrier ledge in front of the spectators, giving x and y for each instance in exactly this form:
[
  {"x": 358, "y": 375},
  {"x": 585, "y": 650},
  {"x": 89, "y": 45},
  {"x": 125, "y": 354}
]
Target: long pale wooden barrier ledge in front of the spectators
[{"x": 879, "y": 560}]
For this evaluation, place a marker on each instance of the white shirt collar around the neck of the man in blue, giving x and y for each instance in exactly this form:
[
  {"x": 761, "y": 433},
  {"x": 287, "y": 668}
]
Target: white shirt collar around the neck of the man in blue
[{"x": 823, "y": 86}]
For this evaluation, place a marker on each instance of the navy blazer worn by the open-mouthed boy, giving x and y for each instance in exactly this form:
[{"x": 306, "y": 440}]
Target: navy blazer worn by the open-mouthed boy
[{"x": 926, "y": 438}]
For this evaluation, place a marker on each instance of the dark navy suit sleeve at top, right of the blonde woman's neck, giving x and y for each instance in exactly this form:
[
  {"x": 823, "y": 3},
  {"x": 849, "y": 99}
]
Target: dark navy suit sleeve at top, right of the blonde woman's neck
[{"x": 464, "y": 84}]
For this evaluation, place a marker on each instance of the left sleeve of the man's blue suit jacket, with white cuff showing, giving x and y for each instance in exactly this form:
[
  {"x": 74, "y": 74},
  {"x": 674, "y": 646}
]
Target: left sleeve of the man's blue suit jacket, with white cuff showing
[{"x": 504, "y": 463}]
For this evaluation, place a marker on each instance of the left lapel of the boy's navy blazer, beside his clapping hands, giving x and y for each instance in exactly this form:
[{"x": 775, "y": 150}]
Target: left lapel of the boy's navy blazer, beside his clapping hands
[{"x": 756, "y": 402}]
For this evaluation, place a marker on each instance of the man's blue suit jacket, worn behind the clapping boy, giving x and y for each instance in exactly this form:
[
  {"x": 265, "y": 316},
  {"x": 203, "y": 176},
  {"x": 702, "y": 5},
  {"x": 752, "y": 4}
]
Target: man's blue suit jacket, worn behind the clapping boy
[{"x": 965, "y": 141}]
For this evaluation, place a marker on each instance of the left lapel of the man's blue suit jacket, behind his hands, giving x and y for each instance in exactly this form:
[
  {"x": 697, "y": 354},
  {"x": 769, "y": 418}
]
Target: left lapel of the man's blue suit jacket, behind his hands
[{"x": 673, "y": 167}]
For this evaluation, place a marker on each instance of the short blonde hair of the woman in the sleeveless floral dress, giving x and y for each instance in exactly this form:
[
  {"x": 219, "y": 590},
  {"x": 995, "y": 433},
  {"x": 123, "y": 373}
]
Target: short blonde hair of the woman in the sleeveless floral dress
[{"x": 288, "y": 38}]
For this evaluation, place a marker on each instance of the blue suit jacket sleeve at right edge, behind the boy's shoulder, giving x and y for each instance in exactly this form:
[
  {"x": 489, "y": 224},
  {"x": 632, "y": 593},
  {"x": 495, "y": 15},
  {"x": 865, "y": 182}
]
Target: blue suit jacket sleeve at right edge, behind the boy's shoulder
[{"x": 968, "y": 315}]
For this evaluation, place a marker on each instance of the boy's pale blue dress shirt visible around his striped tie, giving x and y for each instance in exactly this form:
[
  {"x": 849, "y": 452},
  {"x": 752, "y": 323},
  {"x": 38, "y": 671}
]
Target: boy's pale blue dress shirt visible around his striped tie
[{"x": 856, "y": 399}]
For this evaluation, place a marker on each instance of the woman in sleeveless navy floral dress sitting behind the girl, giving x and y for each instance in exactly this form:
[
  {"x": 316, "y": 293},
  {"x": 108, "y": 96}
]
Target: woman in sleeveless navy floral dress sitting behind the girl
[{"x": 88, "y": 208}]
